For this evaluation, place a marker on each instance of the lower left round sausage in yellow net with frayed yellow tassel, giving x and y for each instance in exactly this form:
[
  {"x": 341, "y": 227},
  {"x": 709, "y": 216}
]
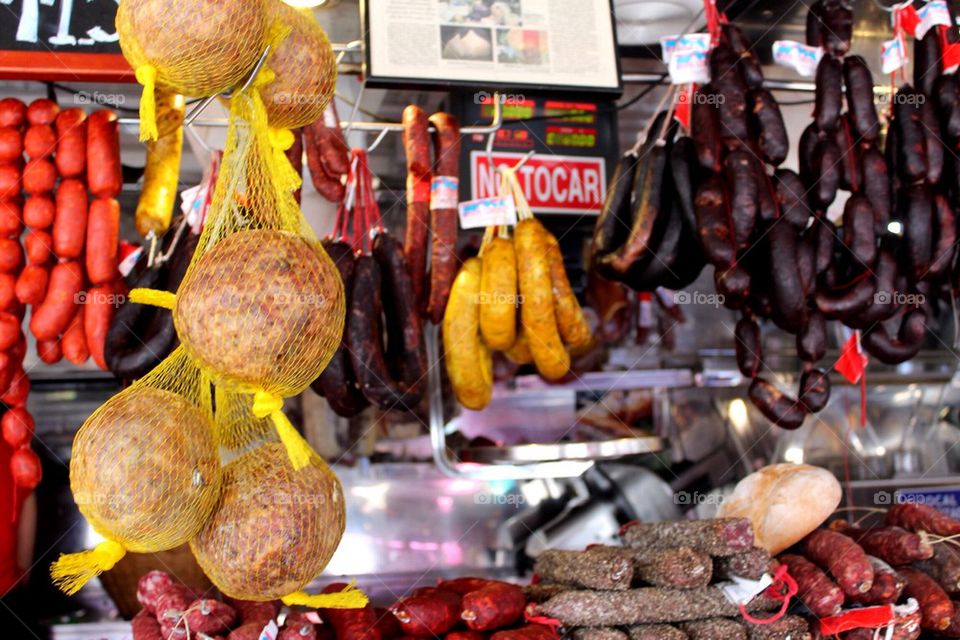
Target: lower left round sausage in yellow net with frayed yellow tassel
[{"x": 145, "y": 471}]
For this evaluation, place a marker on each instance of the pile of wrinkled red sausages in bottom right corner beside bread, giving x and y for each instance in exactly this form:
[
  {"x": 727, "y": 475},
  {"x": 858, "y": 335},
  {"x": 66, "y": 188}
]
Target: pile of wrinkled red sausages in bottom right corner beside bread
[{"x": 903, "y": 557}]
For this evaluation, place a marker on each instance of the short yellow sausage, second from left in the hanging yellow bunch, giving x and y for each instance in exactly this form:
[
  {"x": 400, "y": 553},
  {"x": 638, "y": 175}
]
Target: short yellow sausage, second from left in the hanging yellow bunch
[{"x": 498, "y": 294}]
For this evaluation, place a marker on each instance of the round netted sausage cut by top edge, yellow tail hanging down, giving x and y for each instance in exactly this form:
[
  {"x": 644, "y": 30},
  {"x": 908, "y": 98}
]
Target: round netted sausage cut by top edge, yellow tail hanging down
[{"x": 194, "y": 47}]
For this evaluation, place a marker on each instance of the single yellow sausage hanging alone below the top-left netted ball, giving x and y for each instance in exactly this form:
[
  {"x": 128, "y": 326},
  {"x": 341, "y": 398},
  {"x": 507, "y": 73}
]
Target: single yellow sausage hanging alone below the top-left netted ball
[{"x": 162, "y": 171}]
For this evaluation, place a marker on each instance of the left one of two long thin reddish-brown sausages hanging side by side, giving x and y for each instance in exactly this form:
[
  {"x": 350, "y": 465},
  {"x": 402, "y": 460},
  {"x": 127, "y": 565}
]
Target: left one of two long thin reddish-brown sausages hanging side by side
[{"x": 416, "y": 143}]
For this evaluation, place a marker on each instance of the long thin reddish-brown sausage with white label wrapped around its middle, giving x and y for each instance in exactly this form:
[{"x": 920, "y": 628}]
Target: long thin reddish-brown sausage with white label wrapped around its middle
[{"x": 443, "y": 220}]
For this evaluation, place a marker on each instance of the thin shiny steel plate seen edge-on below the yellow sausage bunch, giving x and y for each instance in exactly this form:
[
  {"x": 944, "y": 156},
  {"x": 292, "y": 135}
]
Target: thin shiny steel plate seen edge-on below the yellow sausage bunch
[{"x": 528, "y": 453}]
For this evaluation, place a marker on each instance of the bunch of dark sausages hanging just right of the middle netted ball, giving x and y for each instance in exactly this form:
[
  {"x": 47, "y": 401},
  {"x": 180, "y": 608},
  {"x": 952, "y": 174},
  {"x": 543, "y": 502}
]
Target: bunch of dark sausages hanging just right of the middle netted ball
[{"x": 382, "y": 357}]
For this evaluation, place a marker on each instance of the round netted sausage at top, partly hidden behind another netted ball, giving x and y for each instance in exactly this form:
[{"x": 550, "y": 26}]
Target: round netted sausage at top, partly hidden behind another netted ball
[{"x": 304, "y": 68}]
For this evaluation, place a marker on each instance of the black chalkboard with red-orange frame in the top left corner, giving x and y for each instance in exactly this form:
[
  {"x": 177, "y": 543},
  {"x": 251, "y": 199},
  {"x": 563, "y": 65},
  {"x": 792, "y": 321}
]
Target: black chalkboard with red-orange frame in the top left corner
[{"x": 60, "y": 40}]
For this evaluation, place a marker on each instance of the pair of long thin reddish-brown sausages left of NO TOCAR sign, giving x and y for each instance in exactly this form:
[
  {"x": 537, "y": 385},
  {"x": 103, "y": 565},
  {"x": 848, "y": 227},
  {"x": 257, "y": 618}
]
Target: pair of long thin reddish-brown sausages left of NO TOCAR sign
[{"x": 431, "y": 226}]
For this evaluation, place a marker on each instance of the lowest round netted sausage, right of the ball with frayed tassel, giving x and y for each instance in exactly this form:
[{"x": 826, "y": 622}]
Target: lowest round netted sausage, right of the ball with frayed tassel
[{"x": 274, "y": 529}]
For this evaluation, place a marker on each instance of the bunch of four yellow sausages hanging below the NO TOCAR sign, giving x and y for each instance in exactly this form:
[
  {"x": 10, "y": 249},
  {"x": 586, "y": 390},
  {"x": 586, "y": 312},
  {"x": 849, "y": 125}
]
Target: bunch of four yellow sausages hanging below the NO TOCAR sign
[{"x": 524, "y": 272}]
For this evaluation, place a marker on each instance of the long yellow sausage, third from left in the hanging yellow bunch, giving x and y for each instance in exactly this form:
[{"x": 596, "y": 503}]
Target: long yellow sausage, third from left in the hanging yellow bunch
[{"x": 536, "y": 303}]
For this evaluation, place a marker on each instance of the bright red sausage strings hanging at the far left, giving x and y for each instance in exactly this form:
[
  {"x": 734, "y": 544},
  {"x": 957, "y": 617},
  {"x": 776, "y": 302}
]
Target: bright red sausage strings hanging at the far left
[{"x": 66, "y": 267}]
